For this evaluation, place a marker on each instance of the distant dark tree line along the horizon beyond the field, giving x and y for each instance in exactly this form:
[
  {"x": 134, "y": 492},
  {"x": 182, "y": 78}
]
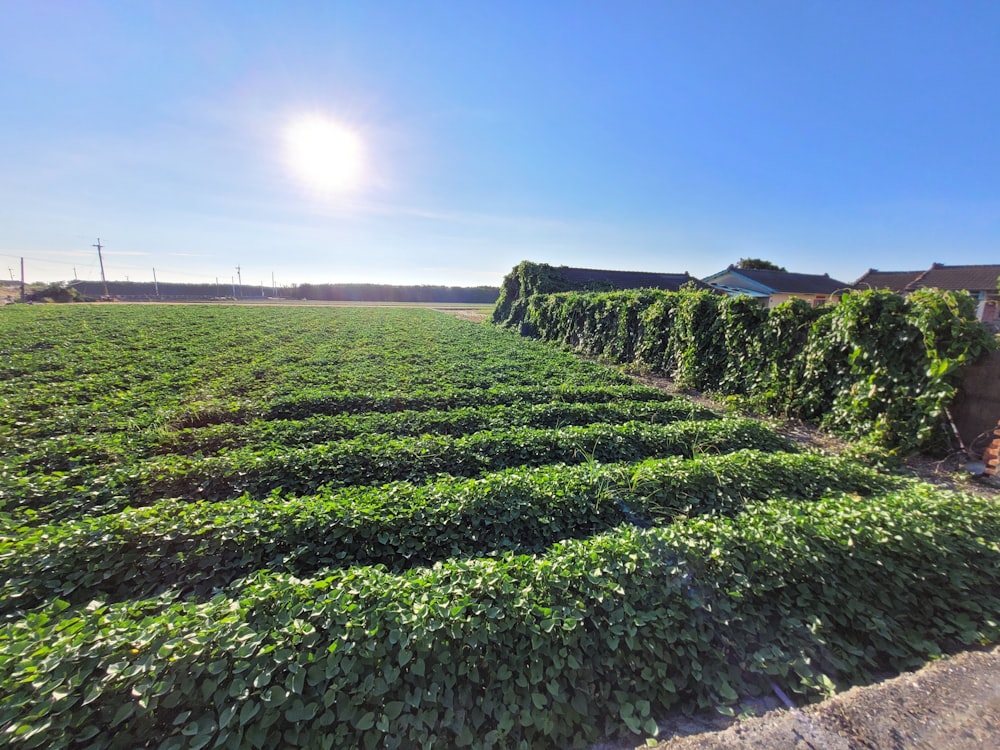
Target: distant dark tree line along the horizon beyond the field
[{"x": 146, "y": 290}]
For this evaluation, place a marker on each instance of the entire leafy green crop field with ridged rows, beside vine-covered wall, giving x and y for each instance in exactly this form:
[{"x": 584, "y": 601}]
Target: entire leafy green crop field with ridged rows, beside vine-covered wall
[{"x": 332, "y": 527}]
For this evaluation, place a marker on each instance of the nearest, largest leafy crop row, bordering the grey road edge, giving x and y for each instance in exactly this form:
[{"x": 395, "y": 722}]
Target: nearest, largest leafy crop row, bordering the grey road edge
[{"x": 592, "y": 637}]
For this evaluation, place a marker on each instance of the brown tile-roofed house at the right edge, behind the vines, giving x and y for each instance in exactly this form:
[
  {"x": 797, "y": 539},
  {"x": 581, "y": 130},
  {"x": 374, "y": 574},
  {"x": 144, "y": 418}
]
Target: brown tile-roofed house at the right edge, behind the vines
[{"x": 979, "y": 281}]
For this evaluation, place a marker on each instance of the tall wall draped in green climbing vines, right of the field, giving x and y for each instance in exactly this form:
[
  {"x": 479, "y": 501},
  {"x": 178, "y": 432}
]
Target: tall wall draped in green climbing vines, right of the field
[{"x": 878, "y": 367}]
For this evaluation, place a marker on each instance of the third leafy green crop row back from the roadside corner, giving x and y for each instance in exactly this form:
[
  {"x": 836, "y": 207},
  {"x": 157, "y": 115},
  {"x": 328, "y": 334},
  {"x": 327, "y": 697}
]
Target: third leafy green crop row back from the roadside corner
[{"x": 365, "y": 460}]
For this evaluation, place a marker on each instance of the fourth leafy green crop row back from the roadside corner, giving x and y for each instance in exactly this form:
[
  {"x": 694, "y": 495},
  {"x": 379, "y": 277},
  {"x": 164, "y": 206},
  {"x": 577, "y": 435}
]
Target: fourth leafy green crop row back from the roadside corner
[{"x": 452, "y": 413}]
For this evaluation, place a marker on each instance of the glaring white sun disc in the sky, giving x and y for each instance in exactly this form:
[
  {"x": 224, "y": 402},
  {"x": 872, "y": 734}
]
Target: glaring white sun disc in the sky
[{"x": 324, "y": 154}]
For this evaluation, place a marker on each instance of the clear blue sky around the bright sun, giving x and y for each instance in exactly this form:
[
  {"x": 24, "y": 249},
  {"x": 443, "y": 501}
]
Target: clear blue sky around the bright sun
[{"x": 828, "y": 137}]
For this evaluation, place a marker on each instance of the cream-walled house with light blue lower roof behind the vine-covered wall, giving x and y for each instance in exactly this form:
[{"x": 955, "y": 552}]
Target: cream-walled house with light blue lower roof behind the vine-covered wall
[{"x": 776, "y": 287}]
